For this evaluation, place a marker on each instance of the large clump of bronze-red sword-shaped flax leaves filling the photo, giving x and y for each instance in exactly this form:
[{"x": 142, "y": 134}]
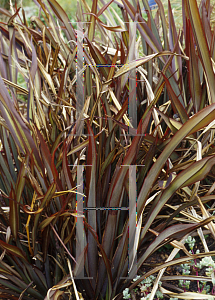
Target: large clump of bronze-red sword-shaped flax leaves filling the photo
[{"x": 114, "y": 110}]
